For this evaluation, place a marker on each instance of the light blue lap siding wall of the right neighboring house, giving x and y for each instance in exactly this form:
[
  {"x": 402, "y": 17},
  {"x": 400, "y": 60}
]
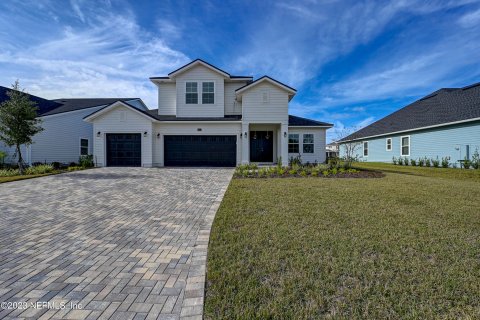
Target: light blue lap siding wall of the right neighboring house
[{"x": 432, "y": 143}]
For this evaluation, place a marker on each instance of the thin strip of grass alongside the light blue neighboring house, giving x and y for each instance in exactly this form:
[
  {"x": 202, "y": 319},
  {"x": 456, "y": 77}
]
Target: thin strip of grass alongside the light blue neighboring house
[{"x": 448, "y": 173}]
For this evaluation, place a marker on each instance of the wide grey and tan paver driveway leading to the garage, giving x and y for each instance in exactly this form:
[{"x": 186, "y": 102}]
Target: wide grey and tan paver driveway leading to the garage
[{"x": 110, "y": 243}]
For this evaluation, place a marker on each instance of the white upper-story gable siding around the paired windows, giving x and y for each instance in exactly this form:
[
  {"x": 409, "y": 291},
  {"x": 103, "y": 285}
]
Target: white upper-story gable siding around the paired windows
[{"x": 199, "y": 74}]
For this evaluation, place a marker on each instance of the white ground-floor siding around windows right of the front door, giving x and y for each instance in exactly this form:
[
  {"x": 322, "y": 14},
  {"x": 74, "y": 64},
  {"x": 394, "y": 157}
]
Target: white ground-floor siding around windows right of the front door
[{"x": 319, "y": 145}]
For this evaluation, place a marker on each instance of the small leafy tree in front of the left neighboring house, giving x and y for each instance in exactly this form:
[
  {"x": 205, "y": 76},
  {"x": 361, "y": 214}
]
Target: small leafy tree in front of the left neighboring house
[{"x": 18, "y": 121}]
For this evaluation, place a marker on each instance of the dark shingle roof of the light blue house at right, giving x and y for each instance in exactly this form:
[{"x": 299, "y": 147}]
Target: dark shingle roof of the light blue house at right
[{"x": 440, "y": 107}]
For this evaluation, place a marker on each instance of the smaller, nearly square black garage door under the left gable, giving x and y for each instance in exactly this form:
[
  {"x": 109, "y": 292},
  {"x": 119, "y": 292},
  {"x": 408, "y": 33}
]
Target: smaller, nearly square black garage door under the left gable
[{"x": 124, "y": 149}]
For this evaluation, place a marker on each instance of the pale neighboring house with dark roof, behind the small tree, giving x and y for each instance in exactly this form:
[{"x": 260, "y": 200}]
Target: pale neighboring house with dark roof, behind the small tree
[{"x": 66, "y": 136}]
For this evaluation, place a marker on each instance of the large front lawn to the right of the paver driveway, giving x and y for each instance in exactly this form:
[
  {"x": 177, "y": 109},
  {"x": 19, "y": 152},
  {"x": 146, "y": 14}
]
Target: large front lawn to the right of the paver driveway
[{"x": 403, "y": 246}]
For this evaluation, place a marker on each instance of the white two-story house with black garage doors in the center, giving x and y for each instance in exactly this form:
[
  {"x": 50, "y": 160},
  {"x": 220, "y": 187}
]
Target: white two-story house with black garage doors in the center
[{"x": 207, "y": 117}]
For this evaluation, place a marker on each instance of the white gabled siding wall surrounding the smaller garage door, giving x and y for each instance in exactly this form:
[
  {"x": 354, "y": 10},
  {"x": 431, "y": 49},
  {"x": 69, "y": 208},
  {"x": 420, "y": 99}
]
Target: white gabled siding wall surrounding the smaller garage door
[{"x": 111, "y": 123}]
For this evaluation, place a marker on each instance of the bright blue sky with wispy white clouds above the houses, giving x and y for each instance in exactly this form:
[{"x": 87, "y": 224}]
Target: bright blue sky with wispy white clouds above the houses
[{"x": 352, "y": 62}]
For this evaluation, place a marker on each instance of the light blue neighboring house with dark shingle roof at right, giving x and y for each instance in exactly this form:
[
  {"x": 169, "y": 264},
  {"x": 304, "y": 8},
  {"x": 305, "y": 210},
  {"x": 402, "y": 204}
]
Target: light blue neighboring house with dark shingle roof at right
[{"x": 445, "y": 123}]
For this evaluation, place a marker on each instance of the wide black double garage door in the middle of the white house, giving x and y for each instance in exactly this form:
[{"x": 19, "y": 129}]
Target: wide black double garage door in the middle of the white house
[{"x": 211, "y": 151}]
